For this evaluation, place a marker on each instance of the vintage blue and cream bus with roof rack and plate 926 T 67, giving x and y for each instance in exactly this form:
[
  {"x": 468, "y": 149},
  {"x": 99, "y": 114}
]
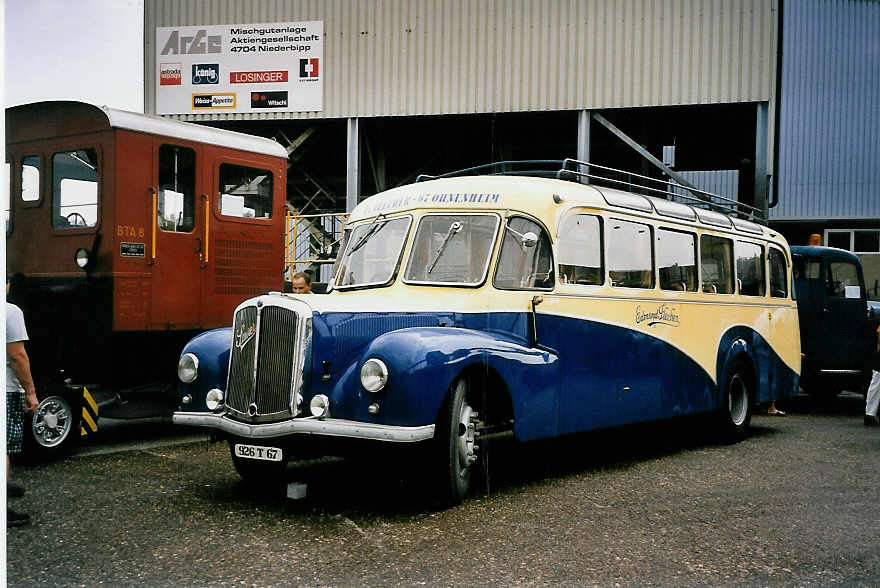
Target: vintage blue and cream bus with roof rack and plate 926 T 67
[{"x": 471, "y": 305}]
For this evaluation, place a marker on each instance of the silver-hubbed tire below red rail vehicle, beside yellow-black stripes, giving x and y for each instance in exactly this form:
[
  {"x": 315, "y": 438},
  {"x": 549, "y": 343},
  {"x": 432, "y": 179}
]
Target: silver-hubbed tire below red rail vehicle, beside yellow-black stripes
[{"x": 53, "y": 429}]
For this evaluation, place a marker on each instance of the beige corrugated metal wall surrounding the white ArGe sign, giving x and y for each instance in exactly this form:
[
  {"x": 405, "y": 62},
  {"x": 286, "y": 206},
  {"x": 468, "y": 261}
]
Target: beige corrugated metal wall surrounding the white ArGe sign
[{"x": 416, "y": 57}]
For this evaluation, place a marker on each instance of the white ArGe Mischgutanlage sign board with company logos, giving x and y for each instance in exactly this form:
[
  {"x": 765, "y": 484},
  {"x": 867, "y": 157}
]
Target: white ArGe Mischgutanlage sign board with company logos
[{"x": 268, "y": 67}]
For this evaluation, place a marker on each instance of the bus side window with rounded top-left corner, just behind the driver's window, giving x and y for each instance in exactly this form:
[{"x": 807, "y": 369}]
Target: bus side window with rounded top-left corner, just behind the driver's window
[{"x": 580, "y": 250}]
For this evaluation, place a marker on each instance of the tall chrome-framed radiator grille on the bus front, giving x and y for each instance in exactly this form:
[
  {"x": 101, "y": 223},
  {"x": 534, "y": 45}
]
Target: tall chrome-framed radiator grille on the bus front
[{"x": 267, "y": 361}]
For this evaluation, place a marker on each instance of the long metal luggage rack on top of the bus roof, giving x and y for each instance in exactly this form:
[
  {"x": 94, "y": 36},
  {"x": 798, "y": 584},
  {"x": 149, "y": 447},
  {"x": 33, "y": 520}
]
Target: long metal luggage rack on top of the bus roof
[{"x": 582, "y": 171}]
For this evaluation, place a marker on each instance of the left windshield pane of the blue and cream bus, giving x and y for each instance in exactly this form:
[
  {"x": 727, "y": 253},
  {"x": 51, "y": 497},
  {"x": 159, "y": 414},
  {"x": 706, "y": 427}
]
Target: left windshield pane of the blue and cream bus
[{"x": 373, "y": 253}]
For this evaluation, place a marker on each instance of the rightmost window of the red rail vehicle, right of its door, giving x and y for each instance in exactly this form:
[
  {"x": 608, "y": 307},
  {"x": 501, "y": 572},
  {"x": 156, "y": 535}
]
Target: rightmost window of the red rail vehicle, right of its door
[{"x": 245, "y": 192}]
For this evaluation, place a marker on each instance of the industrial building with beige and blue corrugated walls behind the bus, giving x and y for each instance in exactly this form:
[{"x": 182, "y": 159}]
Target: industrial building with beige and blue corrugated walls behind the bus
[{"x": 774, "y": 103}]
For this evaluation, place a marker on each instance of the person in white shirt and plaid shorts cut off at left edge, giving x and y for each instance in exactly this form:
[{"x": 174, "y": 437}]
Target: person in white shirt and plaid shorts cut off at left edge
[{"x": 20, "y": 396}]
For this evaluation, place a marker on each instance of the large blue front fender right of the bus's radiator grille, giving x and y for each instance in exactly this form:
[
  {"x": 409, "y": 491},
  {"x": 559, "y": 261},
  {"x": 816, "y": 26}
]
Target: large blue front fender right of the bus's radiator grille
[{"x": 423, "y": 362}]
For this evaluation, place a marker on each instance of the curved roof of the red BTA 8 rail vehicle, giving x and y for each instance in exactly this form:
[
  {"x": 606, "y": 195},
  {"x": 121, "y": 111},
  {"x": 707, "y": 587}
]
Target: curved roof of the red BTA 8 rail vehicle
[{"x": 35, "y": 121}]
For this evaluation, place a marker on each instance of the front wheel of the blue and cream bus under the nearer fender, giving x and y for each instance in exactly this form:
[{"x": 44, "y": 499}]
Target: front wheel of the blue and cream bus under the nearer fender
[{"x": 455, "y": 436}]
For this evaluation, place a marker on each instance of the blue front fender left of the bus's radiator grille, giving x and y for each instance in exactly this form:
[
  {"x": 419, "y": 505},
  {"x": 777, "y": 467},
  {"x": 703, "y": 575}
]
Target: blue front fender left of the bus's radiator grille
[{"x": 212, "y": 350}]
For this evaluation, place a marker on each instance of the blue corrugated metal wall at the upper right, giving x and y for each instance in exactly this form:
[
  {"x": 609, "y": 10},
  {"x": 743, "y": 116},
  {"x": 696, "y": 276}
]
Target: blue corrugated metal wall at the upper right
[{"x": 829, "y": 151}]
